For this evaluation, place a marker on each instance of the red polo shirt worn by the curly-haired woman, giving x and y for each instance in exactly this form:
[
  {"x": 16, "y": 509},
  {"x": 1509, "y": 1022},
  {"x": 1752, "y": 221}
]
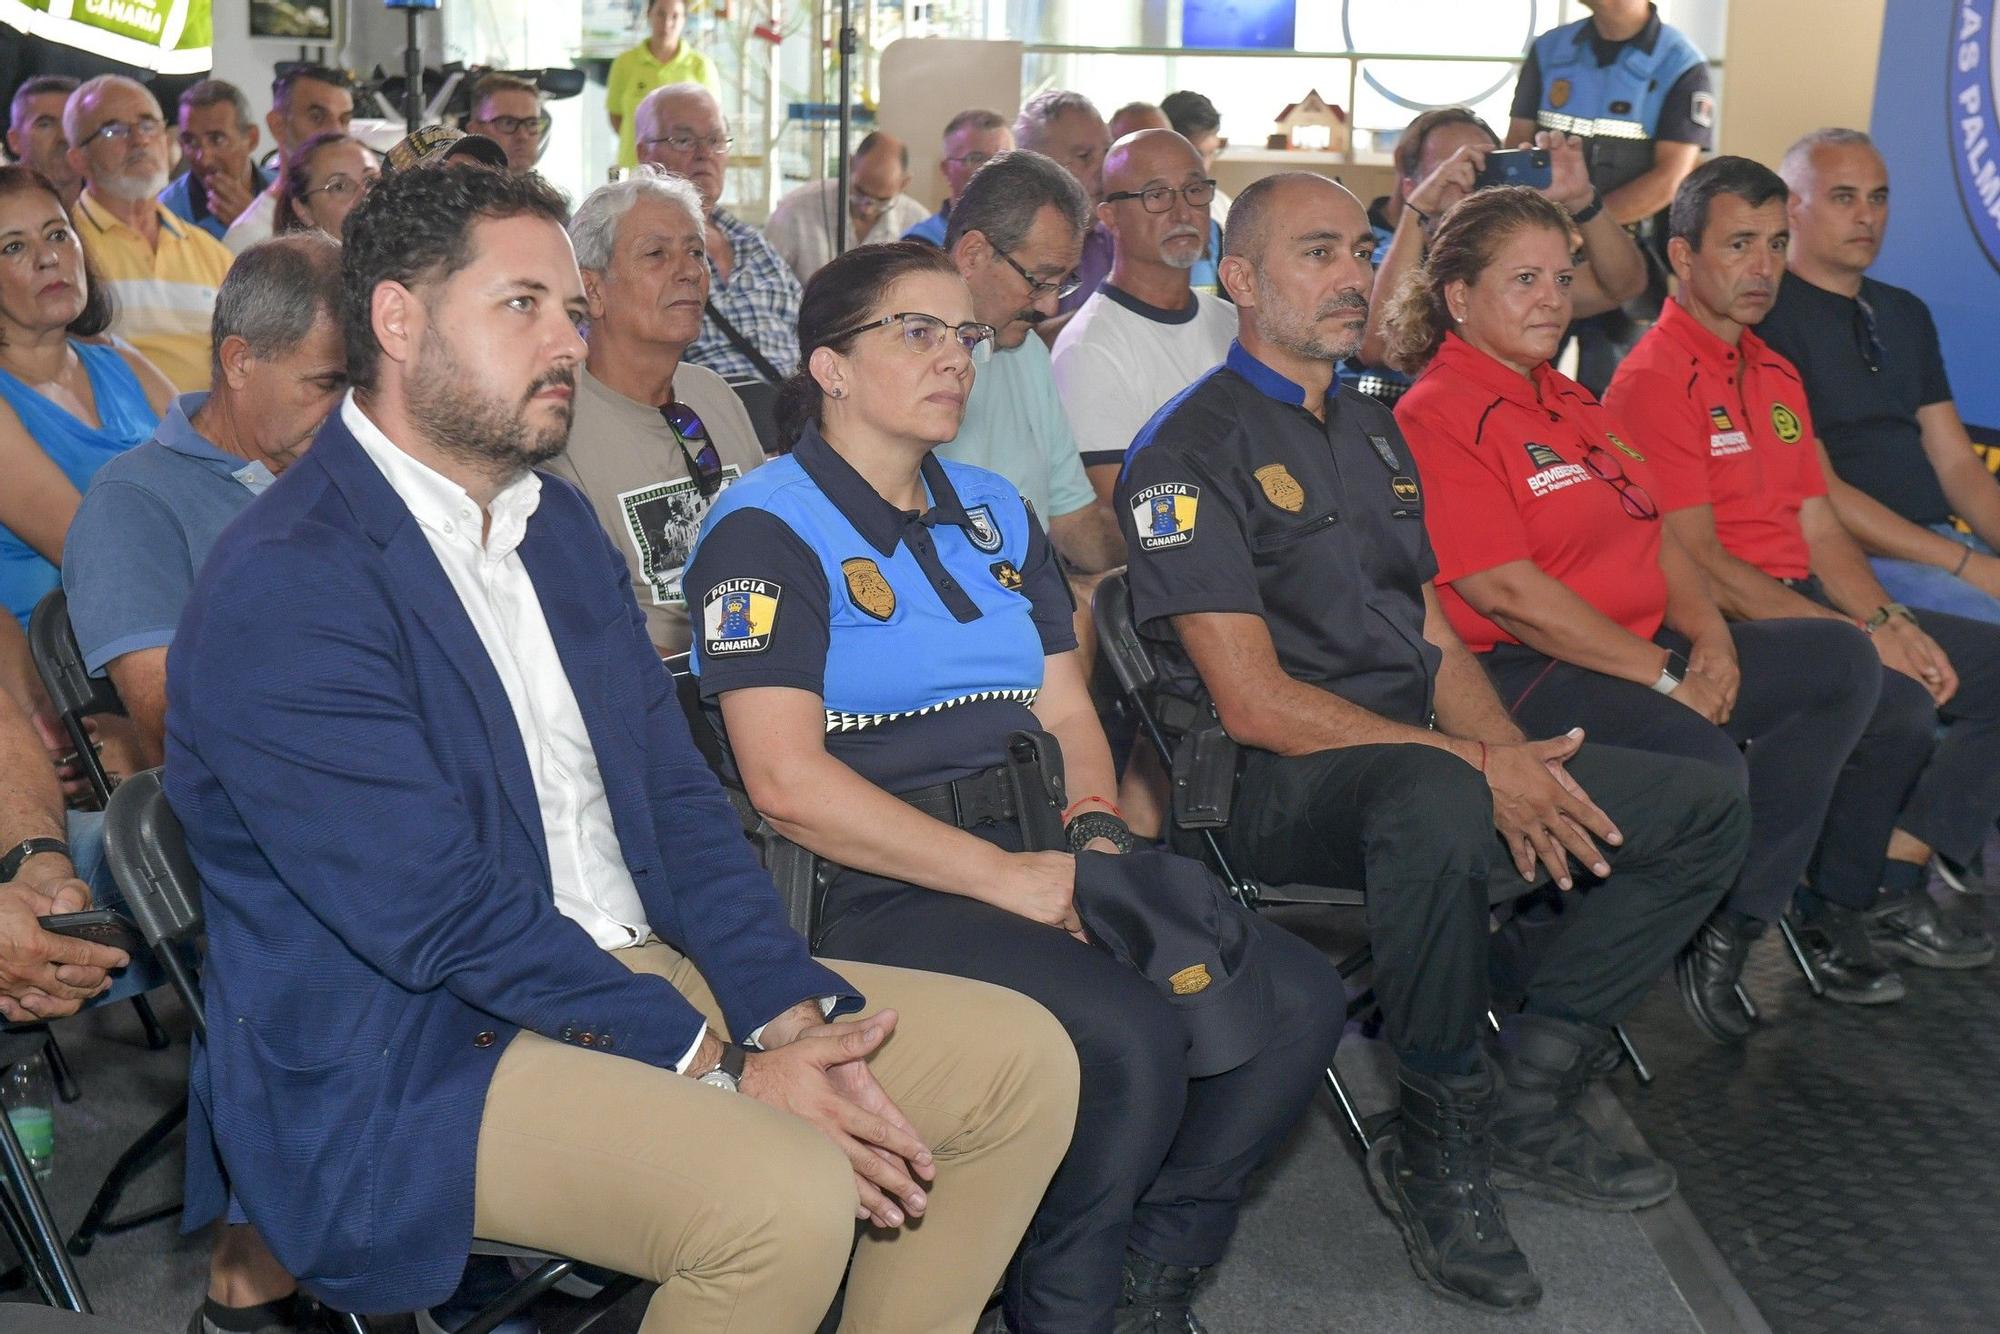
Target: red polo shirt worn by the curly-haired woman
[{"x": 1515, "y": 467}]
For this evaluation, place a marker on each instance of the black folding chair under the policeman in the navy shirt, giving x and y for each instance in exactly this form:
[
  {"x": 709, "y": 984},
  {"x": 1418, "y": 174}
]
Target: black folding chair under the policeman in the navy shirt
[{"x": 1139, "y": 679}]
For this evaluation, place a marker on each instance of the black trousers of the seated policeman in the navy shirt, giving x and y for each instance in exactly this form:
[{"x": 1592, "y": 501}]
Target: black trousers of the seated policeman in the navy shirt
[{"x": 1413, "y": 825}]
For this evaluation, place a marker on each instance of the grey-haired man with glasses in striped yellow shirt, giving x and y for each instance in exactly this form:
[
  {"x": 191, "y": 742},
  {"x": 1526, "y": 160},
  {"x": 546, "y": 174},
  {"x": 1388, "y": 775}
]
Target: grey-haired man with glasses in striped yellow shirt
[{"x": 161, "y": 271}]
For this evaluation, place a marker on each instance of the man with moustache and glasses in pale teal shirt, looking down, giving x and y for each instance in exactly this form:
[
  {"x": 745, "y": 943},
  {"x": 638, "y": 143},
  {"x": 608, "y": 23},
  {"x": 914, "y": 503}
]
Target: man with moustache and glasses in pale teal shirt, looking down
[{"x": 1017, "y": 237}]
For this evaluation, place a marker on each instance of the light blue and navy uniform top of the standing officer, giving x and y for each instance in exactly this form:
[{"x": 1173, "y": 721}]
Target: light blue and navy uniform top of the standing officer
[{"x": 1619, "y": 97}]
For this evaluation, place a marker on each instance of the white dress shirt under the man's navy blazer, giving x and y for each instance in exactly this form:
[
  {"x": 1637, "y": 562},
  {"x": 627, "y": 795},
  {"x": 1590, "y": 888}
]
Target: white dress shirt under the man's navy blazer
[{"x": 585, "y": 865}]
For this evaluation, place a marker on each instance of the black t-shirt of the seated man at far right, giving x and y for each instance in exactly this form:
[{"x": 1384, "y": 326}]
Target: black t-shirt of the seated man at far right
[{"x": 1869, "y": 365}]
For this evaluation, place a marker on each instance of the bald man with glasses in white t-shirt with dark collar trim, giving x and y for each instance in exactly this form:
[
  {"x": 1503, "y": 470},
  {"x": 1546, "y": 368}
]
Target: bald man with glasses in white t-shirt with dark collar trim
[{"x": 1147, "y": 333}]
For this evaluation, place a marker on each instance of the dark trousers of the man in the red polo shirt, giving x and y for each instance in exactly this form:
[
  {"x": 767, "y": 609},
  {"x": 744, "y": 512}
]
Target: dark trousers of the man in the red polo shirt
[{"x": 1943, "y": 791}]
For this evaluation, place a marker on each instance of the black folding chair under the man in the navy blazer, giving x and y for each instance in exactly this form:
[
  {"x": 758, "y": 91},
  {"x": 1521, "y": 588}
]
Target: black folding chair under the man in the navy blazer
[{"x": 149, "y": 857}]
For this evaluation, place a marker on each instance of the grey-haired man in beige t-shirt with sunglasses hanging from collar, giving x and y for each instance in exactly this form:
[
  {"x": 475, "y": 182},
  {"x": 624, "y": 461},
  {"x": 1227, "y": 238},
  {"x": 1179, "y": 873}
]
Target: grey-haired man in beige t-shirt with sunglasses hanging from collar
[{"x": 655, "y": 437}]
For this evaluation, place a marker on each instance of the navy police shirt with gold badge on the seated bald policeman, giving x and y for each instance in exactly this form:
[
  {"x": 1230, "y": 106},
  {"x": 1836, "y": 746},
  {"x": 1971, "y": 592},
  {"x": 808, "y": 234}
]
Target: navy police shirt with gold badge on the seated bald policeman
[{"x": 1237, "y": 499}]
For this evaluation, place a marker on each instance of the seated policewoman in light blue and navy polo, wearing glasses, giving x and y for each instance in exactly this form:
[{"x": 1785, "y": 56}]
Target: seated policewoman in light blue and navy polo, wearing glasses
[{"x": 879, "y": 631}]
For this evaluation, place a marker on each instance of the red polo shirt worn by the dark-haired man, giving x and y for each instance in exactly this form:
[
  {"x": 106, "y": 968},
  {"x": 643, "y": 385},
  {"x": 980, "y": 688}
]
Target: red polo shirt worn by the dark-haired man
[{"x": 1725, "y": 425}]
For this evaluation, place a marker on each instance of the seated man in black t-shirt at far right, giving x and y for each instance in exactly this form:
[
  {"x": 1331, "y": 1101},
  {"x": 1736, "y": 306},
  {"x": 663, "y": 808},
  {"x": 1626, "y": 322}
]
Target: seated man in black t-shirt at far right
[{"x": 1901, "y": 465}]
